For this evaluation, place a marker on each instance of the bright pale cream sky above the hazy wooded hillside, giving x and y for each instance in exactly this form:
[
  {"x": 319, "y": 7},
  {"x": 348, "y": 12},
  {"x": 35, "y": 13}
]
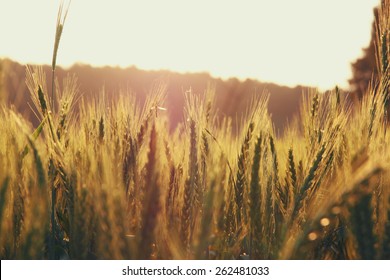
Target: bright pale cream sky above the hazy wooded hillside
[{"x": 306, "y": 42}]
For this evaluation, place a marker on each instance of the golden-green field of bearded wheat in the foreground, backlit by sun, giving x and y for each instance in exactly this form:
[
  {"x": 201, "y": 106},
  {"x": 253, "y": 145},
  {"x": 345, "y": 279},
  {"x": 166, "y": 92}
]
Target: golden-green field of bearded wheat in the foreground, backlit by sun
[{"x": 106, "y": 179}]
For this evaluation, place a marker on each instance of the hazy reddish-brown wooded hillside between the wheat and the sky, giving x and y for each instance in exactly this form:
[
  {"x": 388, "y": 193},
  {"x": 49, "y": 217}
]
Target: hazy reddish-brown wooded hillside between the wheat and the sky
[{"x": 232, "y": 95}]
